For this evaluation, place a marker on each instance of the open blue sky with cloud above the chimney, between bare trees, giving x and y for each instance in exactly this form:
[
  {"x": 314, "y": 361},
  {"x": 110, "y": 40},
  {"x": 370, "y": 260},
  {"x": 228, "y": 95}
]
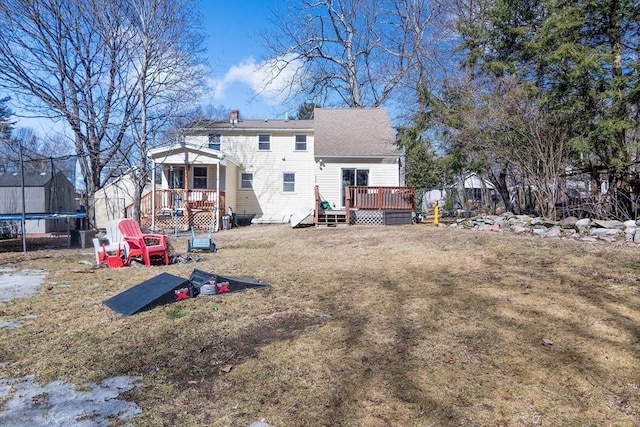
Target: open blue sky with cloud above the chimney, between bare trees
[{"x": 236, "y": 57}]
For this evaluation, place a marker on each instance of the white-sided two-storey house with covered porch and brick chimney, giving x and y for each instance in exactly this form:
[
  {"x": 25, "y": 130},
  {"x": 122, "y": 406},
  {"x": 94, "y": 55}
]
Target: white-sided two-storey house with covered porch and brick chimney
[{"x": 269, "y": 169}]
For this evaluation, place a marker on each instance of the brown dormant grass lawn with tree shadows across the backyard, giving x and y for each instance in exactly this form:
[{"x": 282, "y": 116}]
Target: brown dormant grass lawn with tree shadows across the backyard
[{"x": 361, "y": 326}]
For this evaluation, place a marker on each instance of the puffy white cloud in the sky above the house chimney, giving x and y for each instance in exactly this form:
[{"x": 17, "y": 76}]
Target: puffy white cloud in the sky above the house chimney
[{"x": 271, "y": 80}]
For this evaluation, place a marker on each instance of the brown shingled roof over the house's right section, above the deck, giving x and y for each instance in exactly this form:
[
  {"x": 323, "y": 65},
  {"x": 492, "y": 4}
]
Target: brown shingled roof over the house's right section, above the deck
[{"x": 353, "y": 132}]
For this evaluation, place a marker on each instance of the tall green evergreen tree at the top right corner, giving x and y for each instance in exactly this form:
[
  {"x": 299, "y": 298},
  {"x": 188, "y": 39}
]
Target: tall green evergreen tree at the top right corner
[{"x": 579, "y": 60}]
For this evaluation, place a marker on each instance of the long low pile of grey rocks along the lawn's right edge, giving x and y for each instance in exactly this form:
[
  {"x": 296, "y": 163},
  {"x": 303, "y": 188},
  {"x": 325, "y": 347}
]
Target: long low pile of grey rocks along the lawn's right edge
[{"x": 582, "y": 229}]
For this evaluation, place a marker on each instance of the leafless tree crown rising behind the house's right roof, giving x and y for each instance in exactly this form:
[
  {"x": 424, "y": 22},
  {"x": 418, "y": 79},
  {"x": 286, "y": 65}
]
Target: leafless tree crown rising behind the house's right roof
[{"x": 353, "y": 50}]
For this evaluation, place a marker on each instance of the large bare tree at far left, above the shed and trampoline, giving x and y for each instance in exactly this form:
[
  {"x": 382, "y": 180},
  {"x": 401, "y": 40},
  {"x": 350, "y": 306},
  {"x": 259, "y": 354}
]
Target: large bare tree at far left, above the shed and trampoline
[{"x": 64, "y": 60}]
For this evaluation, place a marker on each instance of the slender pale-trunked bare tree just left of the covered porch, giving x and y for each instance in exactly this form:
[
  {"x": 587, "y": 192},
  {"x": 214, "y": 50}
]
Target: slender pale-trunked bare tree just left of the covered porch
[{"x": 165, "y": 58}]
